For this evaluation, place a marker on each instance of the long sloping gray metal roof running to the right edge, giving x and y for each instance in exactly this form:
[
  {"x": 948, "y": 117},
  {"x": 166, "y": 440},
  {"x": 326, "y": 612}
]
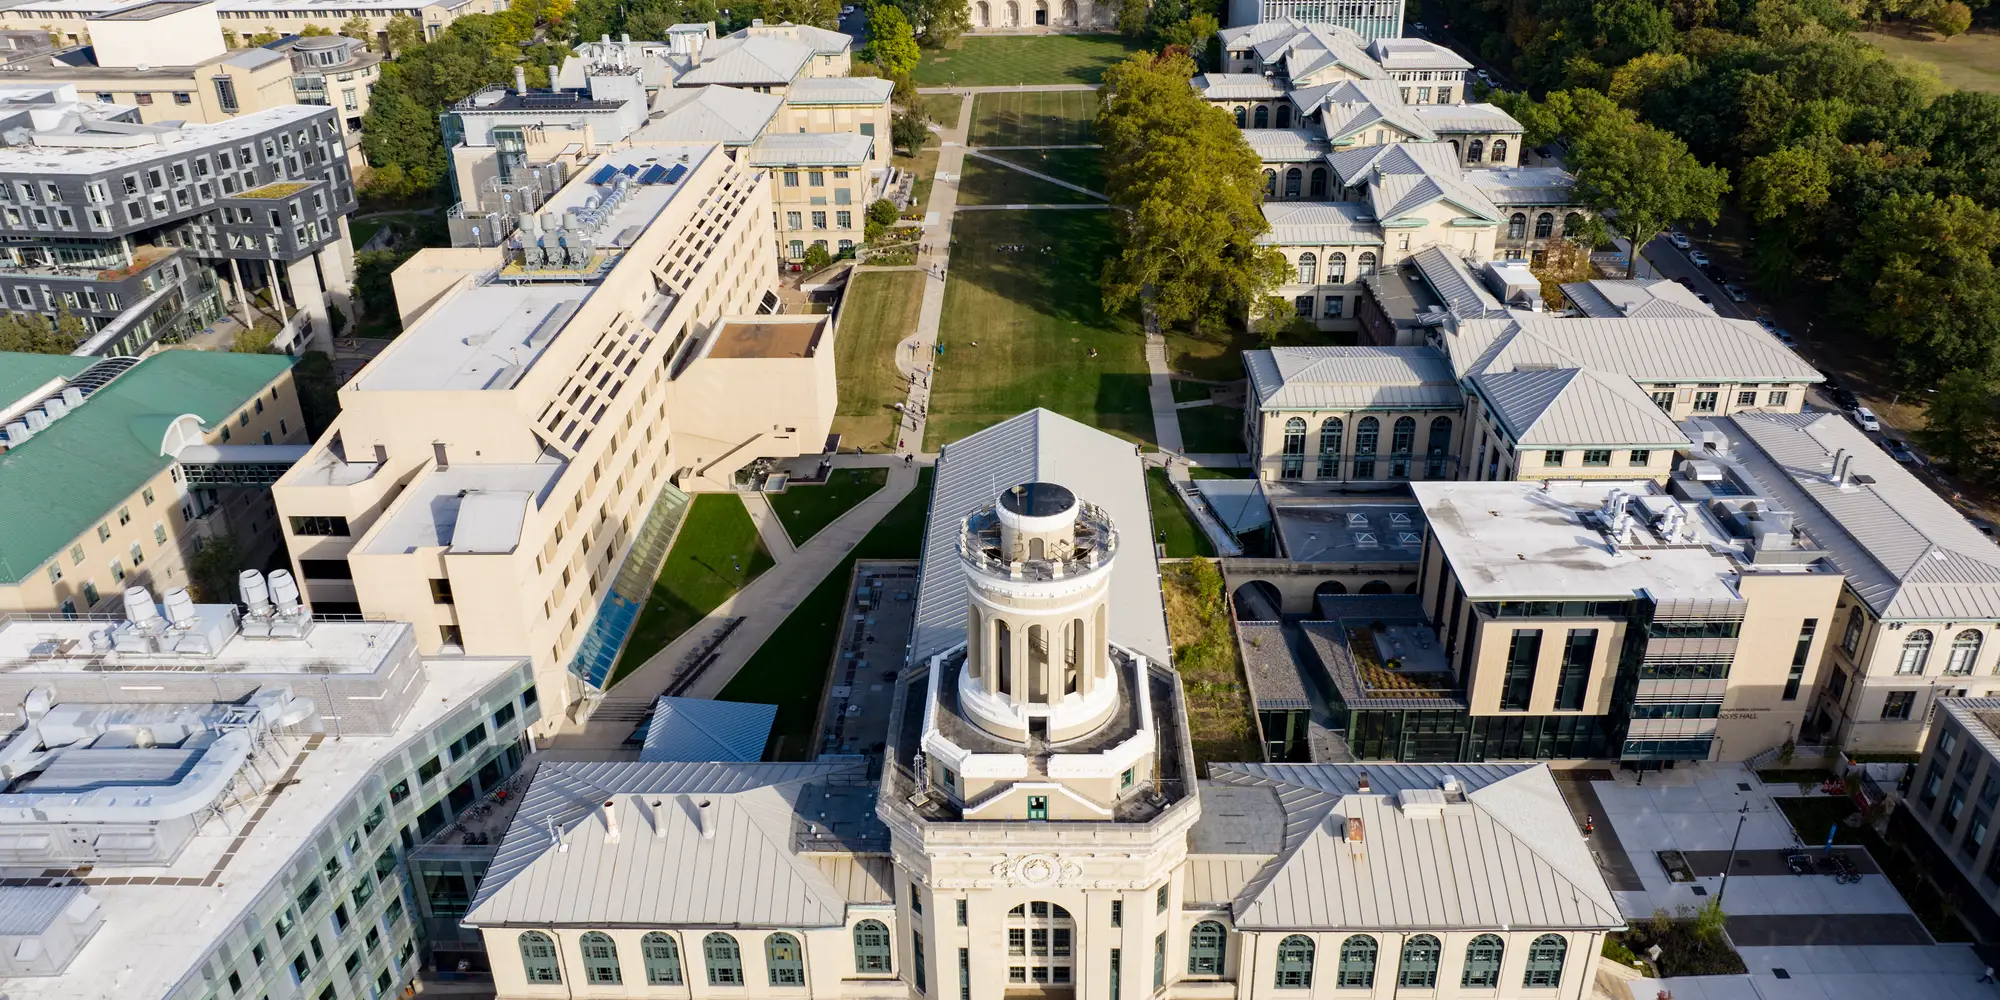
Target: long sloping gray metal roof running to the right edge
[{"x": 1903, "y": 549}]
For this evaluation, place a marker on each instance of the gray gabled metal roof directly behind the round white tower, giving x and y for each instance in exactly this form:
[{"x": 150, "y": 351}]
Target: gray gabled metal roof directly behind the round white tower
[{"x": 1041, "y": 447}]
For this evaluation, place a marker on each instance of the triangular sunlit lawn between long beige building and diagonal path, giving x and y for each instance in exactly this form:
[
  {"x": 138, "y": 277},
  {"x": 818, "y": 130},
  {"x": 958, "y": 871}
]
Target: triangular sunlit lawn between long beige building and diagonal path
[{"x": 715, "y": 555}]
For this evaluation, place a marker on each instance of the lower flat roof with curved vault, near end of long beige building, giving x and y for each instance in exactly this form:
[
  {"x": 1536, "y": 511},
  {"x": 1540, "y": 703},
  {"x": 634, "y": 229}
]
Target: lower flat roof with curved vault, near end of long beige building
[{"x": 469, "y": 509}]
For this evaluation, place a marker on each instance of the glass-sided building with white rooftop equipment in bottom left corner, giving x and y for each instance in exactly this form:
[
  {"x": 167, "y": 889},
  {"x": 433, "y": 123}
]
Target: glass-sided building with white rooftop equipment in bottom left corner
[{"x": 215, "y": 803}]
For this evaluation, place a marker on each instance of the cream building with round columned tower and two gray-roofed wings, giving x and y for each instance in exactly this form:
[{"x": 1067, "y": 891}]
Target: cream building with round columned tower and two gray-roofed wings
[{"x": 1041, "y": 825}]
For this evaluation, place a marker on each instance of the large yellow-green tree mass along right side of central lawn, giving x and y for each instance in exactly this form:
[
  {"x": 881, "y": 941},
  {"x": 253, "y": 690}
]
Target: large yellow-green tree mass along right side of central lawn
[{"x": 1191, "y": 195}]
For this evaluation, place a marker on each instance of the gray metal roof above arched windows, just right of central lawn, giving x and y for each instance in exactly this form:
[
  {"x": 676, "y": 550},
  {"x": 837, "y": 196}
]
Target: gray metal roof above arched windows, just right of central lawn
[{"x": 1351, "y": 379}]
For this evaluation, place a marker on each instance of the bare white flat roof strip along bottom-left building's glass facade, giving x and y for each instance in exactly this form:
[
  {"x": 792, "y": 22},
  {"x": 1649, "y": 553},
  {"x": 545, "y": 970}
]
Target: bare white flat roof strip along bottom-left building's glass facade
[{"x": 161, "y": 921}]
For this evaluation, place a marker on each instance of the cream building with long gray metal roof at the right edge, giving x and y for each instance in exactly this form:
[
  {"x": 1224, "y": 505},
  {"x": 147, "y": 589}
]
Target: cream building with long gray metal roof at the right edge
[{"x": 1919, "y": 617}]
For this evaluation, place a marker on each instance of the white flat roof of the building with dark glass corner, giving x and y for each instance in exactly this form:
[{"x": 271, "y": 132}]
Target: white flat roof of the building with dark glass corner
[{"x": 1511, "y": 541}]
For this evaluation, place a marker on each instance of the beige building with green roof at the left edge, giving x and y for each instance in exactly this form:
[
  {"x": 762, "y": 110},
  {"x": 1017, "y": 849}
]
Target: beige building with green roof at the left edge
[{"x": 117, "y": 471}]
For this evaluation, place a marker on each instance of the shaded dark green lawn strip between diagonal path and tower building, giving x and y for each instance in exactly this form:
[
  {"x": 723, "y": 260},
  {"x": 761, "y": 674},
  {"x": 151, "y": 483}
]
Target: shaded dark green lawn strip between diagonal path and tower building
[{"x": 791, "y": 667}]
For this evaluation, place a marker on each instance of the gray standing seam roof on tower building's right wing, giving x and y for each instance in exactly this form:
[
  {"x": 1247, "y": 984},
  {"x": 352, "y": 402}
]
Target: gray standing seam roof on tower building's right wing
[{"x": 1513, "y": 859}]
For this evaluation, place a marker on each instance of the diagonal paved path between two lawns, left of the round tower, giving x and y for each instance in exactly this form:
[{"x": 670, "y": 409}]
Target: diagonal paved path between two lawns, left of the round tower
[{"x": 763, "y": 609}]
